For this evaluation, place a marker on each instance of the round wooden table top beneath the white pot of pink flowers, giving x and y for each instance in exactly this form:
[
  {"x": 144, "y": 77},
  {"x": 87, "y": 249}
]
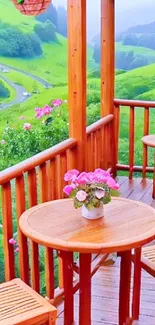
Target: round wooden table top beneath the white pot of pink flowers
[{"x": 126, "y": 224}]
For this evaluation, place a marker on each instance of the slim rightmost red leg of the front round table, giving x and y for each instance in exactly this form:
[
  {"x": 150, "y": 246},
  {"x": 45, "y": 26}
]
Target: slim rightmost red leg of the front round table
[{"x": 136, "y": 284}]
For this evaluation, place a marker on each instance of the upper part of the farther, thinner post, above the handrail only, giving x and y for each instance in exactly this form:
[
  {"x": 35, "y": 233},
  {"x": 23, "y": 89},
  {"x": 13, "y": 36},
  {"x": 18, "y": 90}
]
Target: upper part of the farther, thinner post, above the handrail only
[{"x": 107, "y": 56}]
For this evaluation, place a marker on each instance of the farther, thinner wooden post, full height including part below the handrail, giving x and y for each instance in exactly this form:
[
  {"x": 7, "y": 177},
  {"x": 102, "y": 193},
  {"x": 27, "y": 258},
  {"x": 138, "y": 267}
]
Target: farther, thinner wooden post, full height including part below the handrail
[{"x": 108, "y": 77}]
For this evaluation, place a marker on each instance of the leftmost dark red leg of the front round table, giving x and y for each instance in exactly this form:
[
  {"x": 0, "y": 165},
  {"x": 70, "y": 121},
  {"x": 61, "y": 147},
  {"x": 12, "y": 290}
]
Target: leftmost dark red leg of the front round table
[{"x": 67, "y": 258}]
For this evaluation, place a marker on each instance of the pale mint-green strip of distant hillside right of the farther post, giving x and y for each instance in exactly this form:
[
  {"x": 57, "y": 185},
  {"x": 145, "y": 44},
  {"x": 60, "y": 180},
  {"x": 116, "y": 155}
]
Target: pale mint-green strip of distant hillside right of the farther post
[{"x": 147, "y": 53}]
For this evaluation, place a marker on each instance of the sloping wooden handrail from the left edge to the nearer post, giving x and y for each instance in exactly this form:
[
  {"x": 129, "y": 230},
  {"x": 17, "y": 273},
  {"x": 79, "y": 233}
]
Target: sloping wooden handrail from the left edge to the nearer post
[{"x": 30, "y": 163}]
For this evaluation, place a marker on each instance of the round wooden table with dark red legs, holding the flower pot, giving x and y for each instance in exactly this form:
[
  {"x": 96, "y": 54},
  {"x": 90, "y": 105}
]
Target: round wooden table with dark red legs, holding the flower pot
[{"x": 126, "y": 225}]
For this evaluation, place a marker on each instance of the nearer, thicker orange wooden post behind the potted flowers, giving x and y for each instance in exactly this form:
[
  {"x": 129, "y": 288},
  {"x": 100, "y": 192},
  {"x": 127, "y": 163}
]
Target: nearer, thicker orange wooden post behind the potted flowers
[{"x": 77, "y": 76}]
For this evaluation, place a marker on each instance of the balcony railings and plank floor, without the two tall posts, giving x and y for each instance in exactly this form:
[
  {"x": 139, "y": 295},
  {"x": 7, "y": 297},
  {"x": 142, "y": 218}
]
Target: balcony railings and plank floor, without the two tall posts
[{"x": 40, "y": 179}]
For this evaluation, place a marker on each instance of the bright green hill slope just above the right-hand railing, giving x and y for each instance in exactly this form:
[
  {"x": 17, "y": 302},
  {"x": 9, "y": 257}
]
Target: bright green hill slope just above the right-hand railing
[{"x": 137, "y": 84}]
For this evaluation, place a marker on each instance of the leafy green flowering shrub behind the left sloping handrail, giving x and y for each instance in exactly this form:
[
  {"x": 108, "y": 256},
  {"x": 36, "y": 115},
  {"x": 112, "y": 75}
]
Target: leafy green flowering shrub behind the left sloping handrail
[{"x": 18, "y": 144}]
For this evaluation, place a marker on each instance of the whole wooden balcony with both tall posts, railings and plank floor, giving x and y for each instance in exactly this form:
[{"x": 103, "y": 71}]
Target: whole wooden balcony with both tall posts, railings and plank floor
[{"x": 40, "y": 178}]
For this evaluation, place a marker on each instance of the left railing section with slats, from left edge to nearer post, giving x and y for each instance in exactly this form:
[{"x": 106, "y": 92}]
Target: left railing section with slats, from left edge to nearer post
[{"x": 35, "y": 180}]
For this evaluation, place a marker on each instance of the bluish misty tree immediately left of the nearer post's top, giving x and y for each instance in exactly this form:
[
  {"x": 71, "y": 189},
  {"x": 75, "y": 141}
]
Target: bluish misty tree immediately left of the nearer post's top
[{"x": 62, "y": 21}]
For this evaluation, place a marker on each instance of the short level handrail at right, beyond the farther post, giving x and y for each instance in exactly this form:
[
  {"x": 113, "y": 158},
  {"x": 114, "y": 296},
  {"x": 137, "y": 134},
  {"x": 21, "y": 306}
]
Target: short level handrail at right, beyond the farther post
[{"x": 134, "y": 103}]
